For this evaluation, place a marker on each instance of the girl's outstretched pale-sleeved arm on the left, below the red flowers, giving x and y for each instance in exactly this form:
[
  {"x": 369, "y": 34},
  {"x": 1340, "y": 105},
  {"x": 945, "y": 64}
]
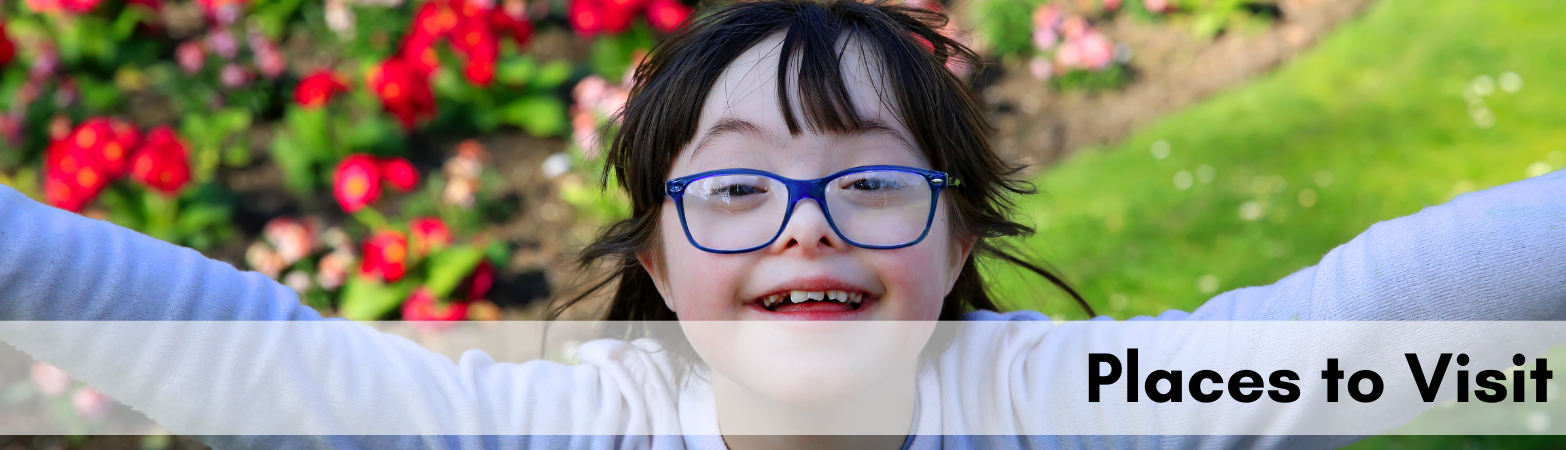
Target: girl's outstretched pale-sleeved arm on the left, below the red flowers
[{"x": 206, "y": 349}]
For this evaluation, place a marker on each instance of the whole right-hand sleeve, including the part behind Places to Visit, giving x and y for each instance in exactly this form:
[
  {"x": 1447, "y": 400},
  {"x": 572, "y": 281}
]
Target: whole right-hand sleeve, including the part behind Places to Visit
[{"x": 1488, "y": 256}]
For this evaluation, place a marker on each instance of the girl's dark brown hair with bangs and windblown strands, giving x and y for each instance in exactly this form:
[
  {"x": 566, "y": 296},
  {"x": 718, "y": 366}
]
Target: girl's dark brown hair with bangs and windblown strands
[{"x": 944, "y": 115}]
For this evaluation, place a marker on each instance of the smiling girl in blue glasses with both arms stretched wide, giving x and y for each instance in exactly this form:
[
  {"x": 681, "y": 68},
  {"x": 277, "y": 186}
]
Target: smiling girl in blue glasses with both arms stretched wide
[{"x": 785, "y": 161}]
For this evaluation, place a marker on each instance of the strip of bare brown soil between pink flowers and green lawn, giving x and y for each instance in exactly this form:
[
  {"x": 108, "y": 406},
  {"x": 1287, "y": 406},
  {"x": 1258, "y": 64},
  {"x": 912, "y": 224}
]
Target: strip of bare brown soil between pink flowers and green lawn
[{"x": 1174, "y": 68}]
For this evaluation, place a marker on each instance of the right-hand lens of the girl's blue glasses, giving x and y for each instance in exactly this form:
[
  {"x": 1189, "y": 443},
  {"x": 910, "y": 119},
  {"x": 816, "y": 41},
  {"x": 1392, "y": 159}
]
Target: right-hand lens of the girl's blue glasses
[{"x": 881, "y": 208}]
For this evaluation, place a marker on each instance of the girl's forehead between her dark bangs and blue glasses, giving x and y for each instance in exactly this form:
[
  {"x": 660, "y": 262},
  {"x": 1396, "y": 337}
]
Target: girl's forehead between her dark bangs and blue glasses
[{"x": 748, "y": 93}]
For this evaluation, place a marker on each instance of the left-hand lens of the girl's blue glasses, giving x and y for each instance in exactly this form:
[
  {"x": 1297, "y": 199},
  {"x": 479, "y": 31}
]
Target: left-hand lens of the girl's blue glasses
[{"x": 735, "y": 212}]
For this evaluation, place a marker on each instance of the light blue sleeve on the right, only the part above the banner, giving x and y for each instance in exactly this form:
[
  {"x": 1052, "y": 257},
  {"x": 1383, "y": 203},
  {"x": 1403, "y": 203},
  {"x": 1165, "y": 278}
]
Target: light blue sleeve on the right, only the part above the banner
[{"x": 1495, "y": 255}]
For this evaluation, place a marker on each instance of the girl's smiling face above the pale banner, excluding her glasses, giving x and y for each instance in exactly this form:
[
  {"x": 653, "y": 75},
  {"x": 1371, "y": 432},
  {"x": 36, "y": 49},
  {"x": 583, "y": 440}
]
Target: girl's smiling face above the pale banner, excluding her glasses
[{"x": 742, "y": 126}]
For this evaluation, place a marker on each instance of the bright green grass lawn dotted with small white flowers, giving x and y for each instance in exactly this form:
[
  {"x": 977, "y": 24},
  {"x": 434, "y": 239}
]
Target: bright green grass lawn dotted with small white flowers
[{"x": 1369, "y": 126}]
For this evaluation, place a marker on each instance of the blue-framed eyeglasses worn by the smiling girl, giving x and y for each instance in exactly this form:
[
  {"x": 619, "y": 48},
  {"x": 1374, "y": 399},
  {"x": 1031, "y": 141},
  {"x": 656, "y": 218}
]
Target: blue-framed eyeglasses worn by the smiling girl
[{"x": 740, "y": 211}]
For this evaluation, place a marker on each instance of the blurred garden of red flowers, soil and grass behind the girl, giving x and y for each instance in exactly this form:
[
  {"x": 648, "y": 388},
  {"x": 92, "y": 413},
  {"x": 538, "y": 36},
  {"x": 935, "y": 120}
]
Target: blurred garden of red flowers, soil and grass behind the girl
[{"x": 436, "y": 161}]
